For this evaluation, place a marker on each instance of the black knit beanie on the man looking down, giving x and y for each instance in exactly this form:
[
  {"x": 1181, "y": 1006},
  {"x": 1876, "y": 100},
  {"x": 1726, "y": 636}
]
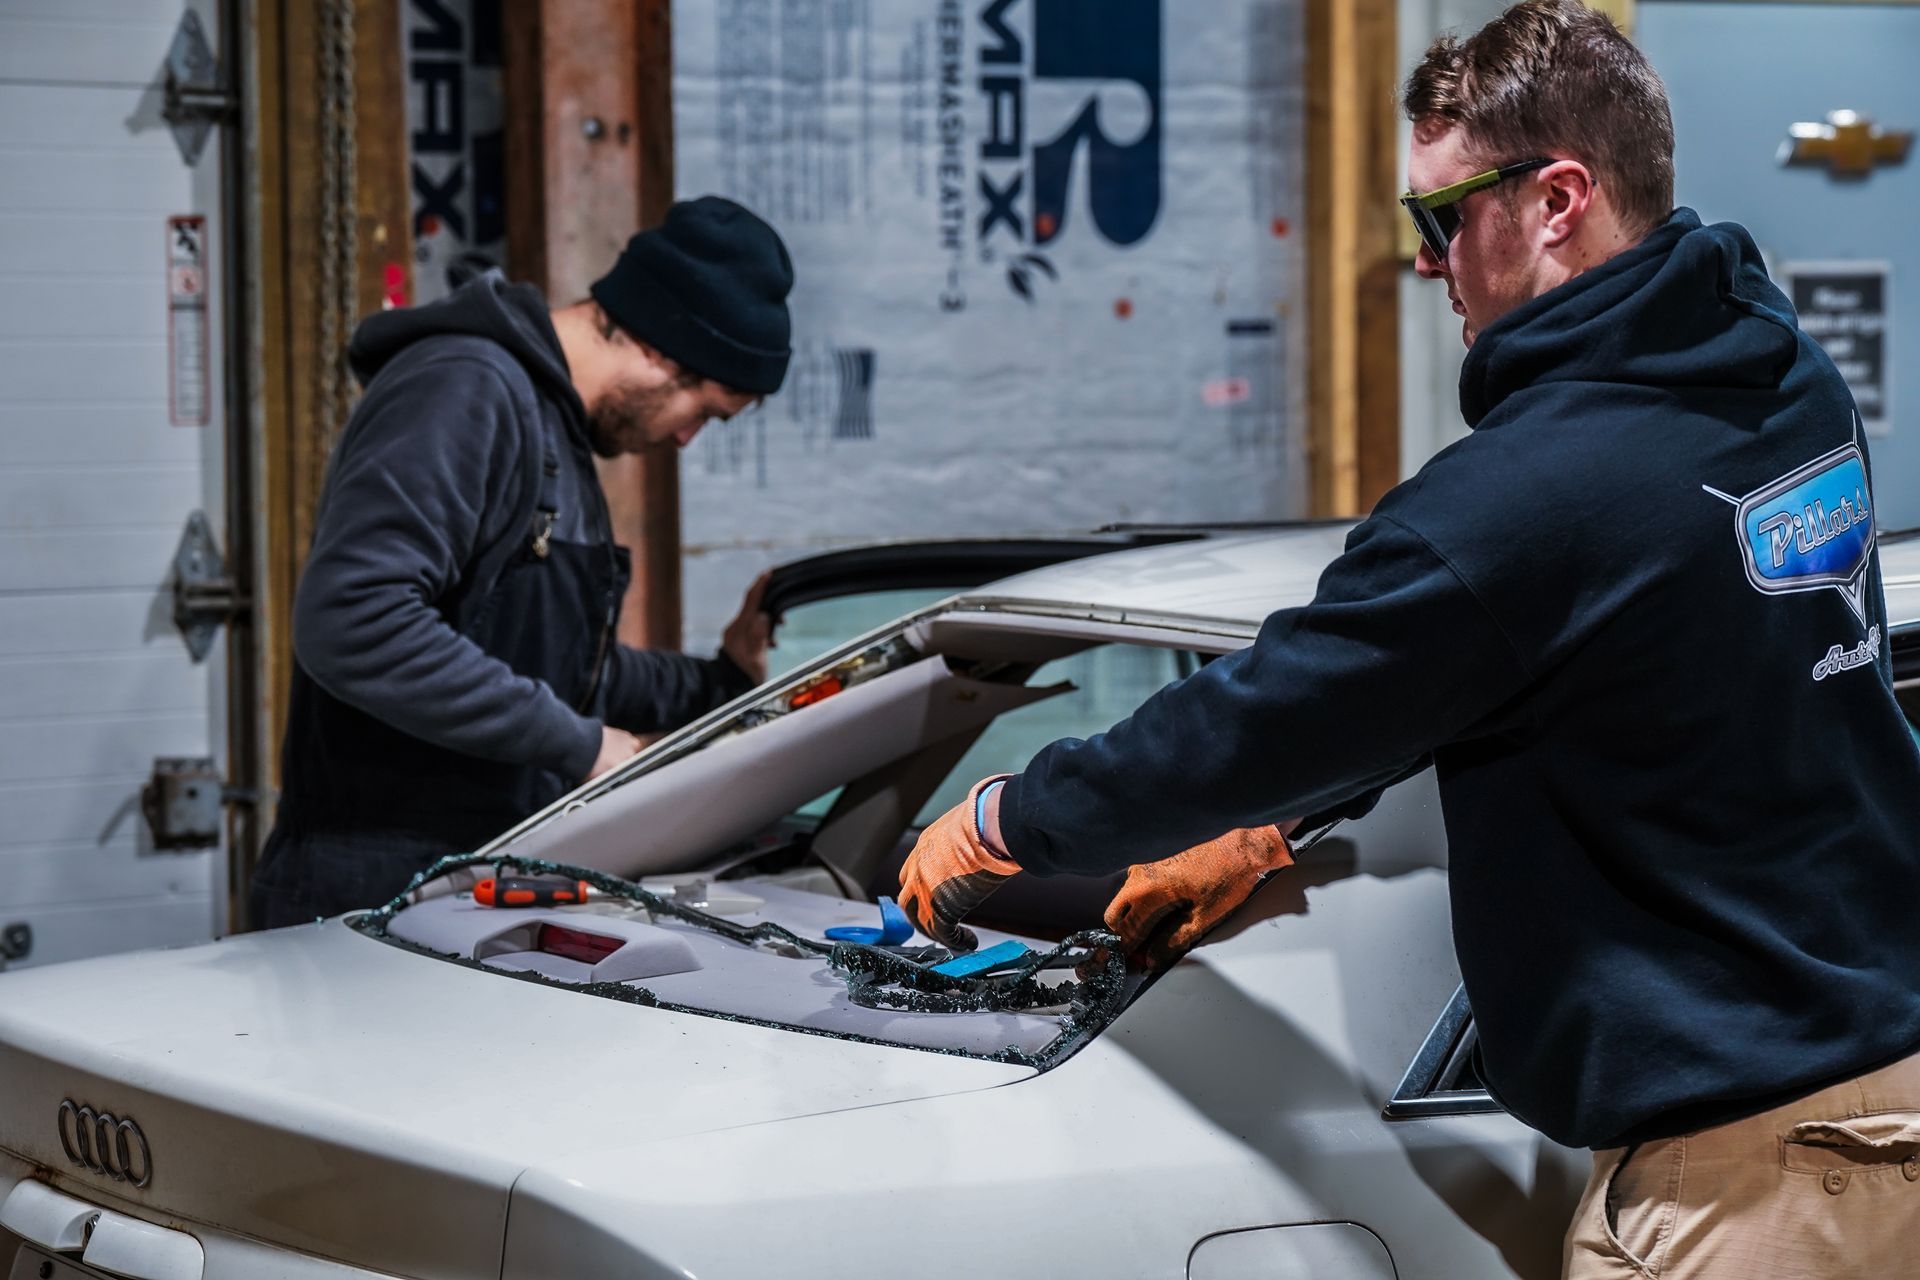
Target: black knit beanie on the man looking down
[{"x": 709, "y": 291}]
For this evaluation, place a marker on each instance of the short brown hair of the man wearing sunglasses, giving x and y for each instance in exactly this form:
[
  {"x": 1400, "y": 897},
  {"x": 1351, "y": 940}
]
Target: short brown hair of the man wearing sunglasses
[{"x": 1552, "y": 78}]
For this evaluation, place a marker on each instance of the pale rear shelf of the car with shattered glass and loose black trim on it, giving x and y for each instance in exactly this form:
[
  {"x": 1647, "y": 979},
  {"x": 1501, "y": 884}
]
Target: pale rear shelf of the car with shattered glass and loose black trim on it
[{"x": 761, "y": 960}]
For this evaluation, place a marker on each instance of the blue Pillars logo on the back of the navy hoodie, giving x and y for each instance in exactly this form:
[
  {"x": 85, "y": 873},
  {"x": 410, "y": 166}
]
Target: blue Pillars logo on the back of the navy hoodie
[{"x": 1810, "y": 531}]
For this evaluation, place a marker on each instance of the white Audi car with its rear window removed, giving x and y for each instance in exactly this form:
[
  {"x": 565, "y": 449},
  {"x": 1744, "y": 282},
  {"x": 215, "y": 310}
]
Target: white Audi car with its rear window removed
[{"x": 686, "y": 1079}]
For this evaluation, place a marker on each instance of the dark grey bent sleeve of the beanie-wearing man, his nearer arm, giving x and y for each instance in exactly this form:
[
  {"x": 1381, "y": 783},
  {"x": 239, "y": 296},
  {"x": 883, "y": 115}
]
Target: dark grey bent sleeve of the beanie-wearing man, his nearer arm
[{"x": 406, "y": 511}]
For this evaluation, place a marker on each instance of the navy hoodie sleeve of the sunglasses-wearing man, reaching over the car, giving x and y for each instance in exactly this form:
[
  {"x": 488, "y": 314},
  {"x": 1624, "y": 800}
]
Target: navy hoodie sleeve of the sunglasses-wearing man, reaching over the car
[{"x": 1333, "y": 701}]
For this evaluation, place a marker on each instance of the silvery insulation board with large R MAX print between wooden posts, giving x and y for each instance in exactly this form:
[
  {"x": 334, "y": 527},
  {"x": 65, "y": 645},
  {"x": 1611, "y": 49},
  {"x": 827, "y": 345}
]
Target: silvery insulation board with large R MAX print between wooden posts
[{"x": 1045, "y": 268}]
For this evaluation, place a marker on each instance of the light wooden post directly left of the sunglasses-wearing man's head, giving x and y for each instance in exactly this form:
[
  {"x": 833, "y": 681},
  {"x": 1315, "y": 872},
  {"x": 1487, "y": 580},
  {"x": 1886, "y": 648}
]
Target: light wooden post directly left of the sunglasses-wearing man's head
[{"x": 1353, "y": 273}]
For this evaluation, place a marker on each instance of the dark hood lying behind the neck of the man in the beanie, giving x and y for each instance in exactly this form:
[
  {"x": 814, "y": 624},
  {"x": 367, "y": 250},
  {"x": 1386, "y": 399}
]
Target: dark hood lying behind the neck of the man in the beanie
[{"x": 514, "y": 316}]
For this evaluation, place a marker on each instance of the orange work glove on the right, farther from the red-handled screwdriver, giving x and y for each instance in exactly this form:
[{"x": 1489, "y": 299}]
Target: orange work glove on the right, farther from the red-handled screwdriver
[{"x": 1168, "y": 907}]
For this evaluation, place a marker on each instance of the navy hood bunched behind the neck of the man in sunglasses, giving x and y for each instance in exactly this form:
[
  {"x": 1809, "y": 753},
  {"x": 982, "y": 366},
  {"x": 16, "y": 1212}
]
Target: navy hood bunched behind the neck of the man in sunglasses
[{"x": 1687, "y": 308}]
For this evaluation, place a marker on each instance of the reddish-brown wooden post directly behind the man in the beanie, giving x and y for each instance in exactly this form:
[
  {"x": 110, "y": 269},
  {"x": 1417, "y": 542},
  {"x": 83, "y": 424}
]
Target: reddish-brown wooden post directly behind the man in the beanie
[{"x": 590, "y": 160}]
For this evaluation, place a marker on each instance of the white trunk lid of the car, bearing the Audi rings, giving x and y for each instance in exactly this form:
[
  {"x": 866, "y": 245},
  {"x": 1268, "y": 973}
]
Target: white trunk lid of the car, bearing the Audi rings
[{"x": 335, "y": 1095}]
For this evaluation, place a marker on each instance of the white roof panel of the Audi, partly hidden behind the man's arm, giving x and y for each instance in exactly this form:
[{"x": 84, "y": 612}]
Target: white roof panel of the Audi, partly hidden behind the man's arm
[{"x": 1247, "y": 577}]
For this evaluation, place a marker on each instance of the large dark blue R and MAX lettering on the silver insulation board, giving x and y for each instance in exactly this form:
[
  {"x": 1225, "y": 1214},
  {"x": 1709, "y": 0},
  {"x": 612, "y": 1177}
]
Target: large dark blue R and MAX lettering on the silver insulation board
[{"x": 1070, "y": 139}]
